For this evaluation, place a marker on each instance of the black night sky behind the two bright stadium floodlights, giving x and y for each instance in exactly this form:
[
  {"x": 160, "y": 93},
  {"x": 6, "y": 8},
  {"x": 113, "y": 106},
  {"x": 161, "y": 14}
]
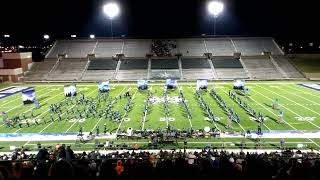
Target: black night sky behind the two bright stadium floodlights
[{"x": 160, "y": 18}]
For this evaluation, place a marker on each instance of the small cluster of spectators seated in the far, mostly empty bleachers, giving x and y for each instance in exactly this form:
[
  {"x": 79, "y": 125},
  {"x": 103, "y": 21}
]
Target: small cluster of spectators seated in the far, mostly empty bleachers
[{"x": 163, "y": 47}]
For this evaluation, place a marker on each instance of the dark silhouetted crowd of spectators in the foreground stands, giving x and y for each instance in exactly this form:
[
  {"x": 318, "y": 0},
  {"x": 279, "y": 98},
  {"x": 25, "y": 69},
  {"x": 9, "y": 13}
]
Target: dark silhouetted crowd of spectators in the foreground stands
[{"x": 206, "y": 164}]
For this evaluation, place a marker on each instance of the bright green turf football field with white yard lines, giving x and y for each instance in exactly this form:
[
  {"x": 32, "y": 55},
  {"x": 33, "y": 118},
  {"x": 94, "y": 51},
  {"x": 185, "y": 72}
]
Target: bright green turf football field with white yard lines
[{"x": 301, "y": 108}]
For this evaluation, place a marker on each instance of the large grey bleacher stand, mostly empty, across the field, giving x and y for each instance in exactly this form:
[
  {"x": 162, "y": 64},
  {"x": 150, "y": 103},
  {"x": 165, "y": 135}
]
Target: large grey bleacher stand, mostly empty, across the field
[{"x": 136, "y": 63}]
